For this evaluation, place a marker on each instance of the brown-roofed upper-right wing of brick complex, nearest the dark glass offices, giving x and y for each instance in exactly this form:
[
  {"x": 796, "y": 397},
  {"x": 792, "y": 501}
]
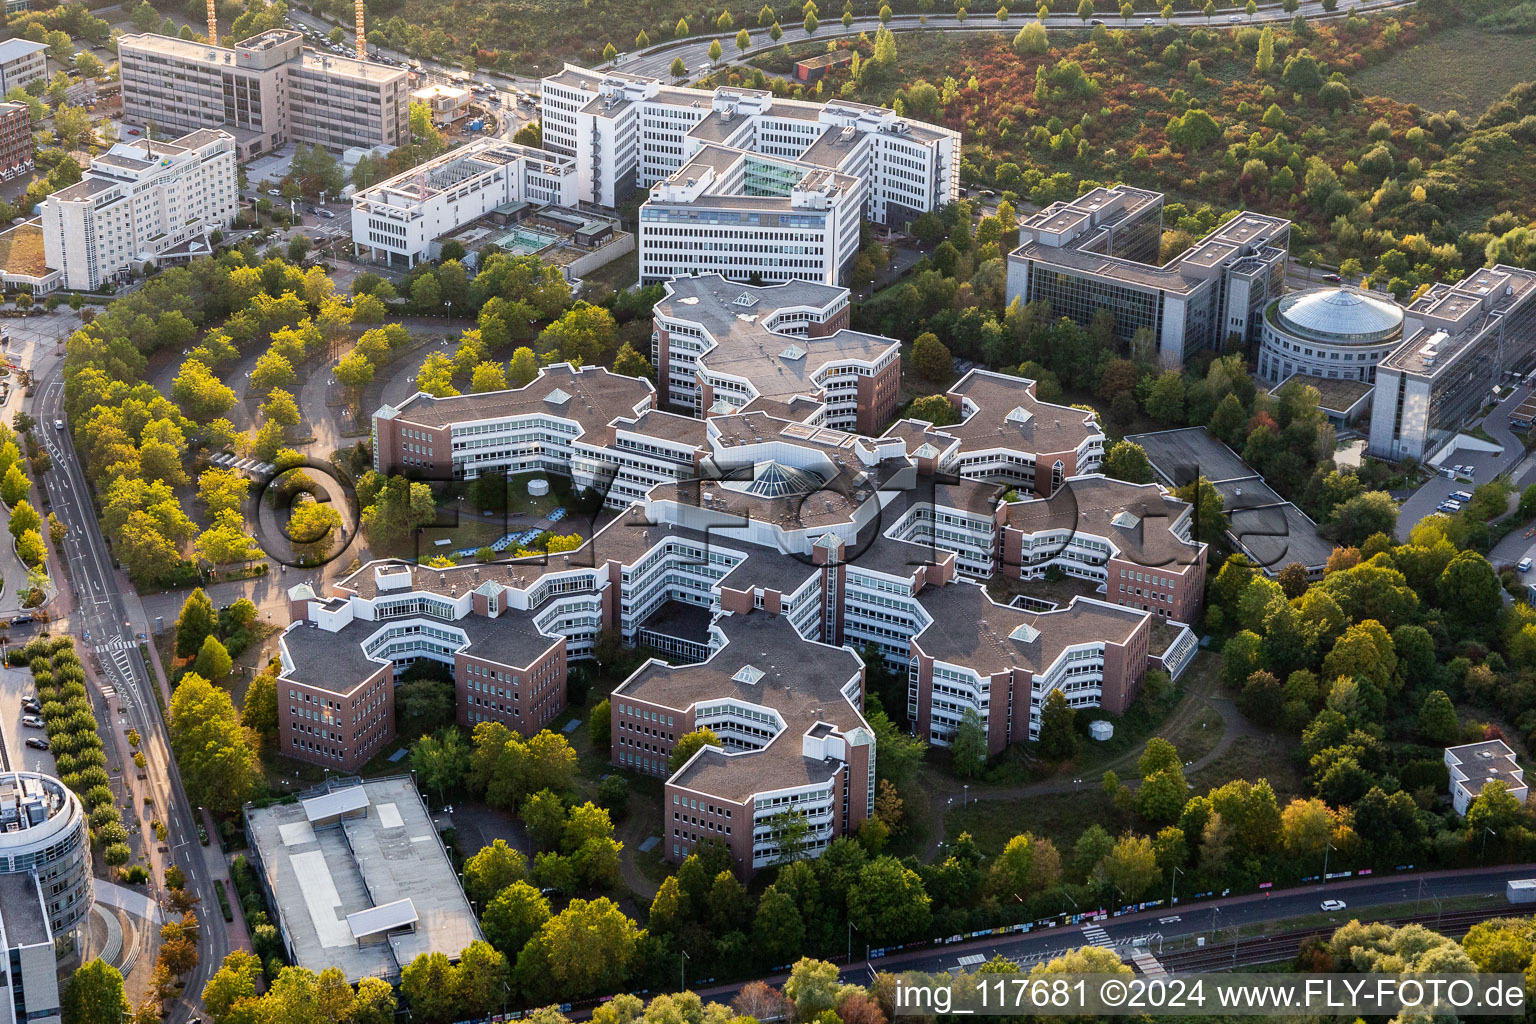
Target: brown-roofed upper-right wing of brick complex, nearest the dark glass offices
[{"x": 1007, "y": 437}]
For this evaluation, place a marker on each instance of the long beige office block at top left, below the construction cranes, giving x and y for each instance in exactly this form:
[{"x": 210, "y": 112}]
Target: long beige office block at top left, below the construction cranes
[{"x": 266, "y": 91}]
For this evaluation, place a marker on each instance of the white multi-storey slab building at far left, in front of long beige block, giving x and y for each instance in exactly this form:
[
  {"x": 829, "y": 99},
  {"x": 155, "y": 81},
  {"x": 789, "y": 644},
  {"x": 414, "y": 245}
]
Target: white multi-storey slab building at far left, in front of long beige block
[{"x": 142, "y": 202}]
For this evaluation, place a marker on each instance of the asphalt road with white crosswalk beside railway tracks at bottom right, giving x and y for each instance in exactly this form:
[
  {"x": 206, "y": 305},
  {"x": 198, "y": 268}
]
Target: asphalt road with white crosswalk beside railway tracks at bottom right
[{"x": 1217, "y": 920}]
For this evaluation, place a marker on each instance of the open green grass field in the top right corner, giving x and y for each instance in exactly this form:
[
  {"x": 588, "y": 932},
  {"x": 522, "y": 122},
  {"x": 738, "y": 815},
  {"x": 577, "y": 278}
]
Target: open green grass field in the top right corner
[{"x": 1463, "y": 68}]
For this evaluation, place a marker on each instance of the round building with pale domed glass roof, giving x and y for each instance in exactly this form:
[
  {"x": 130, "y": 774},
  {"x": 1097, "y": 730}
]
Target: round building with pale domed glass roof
[{"x": 1329, "y": 334}]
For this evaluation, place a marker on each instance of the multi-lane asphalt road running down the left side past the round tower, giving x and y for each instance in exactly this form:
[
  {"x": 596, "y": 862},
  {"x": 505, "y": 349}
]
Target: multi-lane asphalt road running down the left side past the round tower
[{"x": 101, "y": 615}]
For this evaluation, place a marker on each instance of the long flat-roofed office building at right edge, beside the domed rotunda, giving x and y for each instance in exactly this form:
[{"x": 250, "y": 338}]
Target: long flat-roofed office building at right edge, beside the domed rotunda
[{"x": 1457, "y": 343}]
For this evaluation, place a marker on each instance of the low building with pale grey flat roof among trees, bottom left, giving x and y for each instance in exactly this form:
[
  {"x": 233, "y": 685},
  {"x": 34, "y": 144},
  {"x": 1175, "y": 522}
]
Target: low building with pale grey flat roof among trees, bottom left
[{"x": 360, "y": 879}]
